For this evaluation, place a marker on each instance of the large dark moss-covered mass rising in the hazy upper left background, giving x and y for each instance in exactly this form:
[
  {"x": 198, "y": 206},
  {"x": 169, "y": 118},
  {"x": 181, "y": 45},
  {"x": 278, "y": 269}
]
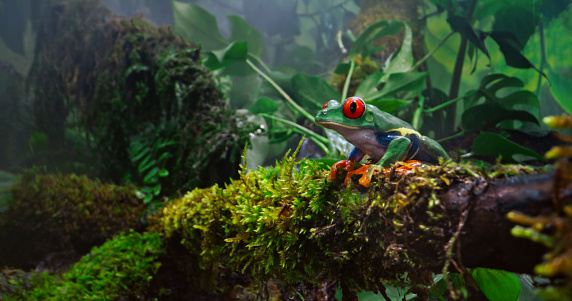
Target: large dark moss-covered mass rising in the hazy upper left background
[{"x": 119, "y": 79}]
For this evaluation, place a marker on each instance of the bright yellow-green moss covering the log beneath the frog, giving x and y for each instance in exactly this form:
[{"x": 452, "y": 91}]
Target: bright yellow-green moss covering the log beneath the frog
[{"x": 294, "y": 227}]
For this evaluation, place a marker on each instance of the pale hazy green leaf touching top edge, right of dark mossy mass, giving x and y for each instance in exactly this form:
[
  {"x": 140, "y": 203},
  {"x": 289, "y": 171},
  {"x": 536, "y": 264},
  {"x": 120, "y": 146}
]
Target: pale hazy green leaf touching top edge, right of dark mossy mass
[{"x": 197, "y": 25}]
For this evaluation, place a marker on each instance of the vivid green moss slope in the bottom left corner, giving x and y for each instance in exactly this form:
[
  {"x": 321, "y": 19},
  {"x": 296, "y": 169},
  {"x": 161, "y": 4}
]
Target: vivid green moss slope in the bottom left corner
[{"x": 120, "y": 269}]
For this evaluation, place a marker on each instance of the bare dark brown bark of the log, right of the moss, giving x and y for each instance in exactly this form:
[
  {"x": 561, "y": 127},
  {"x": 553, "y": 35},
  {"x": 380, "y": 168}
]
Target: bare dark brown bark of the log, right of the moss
[{"x": 485, "y": 238}]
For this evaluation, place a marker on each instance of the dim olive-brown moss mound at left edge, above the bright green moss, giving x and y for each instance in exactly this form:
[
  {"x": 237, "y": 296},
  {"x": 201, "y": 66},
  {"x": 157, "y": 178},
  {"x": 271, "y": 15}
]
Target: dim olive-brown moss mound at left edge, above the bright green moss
[{"x": 55, "y": 213}]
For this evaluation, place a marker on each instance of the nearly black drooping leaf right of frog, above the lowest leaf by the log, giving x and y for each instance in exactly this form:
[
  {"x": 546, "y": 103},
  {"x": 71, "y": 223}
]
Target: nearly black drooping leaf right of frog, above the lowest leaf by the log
[{"x": 489, "y": 115}]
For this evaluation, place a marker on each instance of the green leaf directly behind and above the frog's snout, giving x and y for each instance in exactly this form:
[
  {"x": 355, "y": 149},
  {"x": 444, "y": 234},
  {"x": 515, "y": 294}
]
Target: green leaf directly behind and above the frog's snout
[{"x": 313, "y": 92}]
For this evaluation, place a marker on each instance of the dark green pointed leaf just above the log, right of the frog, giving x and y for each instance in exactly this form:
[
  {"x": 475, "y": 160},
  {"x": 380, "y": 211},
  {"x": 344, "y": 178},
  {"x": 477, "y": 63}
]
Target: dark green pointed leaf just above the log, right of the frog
[{"x": 493, "y": 145}]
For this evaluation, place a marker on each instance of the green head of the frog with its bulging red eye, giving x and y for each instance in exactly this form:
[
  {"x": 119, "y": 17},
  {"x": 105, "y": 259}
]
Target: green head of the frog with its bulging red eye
[{"x": 352, "y": 114}]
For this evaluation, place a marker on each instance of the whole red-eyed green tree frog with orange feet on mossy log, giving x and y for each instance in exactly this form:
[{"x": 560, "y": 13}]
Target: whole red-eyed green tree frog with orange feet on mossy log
[{"x": 385, "y": 138}]
